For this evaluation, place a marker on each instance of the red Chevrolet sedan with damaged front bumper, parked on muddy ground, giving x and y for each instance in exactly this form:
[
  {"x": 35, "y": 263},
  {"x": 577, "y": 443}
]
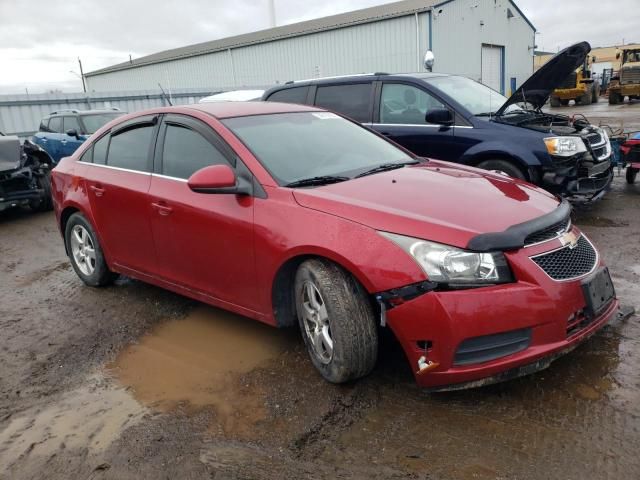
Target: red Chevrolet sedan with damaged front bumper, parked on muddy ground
[{"x": 290, "y": 214}]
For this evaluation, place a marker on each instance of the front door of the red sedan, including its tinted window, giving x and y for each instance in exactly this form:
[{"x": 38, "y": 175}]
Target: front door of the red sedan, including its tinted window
[{"x": 204, "y": 241}]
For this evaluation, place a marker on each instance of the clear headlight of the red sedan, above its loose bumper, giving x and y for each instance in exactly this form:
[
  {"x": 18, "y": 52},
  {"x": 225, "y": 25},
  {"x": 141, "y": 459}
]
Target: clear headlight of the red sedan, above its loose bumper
[{"x": 454, "y": 266}]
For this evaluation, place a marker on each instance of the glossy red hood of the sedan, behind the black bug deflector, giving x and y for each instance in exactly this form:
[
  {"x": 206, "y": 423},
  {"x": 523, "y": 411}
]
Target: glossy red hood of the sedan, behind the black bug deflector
[{"x": 436, "y": 201}]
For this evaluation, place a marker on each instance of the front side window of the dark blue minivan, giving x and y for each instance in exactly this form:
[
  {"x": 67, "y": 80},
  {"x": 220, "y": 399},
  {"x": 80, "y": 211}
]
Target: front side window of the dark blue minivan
[{"x": 406, "y": 104}]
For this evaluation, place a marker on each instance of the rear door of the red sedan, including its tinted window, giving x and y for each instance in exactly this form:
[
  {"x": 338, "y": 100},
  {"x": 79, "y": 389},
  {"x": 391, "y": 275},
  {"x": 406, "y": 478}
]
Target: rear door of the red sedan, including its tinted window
[{"x": 118, "y": 181}]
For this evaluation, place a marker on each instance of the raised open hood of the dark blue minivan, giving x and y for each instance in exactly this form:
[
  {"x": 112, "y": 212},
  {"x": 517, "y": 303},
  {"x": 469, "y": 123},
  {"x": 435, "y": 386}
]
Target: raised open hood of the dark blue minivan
[{"x": 538, "y": 87}]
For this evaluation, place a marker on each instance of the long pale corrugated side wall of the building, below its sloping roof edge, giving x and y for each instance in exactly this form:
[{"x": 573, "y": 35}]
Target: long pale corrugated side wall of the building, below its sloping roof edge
[{"x": 391, "y": 45}]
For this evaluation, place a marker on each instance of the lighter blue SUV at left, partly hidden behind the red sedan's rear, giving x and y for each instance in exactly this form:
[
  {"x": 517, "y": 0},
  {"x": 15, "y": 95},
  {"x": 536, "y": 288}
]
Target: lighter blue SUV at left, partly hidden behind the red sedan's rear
[{"x": 62, "y": 132}]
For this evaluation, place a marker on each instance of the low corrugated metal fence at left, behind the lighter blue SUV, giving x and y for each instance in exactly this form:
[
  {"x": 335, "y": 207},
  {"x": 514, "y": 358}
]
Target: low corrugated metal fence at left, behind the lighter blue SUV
[{"x": 20, "y": 114}]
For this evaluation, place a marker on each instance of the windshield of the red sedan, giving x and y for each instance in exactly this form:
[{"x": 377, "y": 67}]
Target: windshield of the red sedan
[{"x": 296, "y": 146}]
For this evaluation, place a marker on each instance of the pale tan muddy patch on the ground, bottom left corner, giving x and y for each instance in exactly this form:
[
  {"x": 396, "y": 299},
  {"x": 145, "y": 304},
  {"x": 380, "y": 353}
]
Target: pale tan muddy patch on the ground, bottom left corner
[{"x": 90, "y": 418}]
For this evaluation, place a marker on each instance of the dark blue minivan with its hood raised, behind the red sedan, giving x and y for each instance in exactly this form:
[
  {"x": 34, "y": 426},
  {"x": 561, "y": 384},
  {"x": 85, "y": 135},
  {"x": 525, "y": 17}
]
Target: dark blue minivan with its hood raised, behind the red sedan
[{"x": 453, "y": 118}]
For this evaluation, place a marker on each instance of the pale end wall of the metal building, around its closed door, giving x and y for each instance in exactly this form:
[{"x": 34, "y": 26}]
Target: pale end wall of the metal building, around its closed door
[{"x": 461, "y": 27}]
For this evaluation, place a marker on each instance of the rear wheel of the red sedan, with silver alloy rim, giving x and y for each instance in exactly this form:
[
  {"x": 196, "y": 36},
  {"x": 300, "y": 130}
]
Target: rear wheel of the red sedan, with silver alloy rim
[{"x": 85, "y": 253}]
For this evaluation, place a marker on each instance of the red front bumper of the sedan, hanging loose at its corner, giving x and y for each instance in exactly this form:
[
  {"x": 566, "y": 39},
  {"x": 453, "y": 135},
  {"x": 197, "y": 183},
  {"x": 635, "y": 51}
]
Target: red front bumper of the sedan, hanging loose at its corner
[{"x": 435, "y": 325}]
